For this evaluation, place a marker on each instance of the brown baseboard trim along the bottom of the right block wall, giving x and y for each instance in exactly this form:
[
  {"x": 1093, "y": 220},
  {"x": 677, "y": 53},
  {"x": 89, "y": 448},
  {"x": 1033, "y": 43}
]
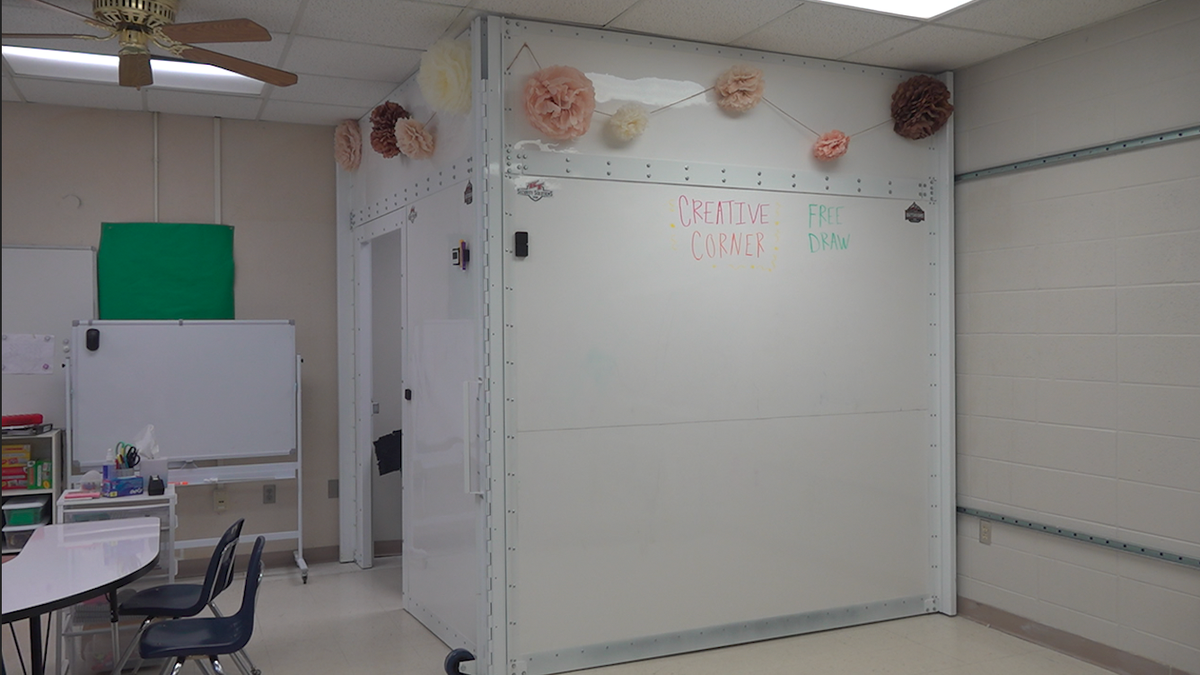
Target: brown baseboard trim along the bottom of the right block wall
[{"x": 1090, "y": 652}]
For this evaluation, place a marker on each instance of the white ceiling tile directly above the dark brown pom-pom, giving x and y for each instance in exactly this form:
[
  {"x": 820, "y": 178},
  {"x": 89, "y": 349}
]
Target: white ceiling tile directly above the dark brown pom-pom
[{"x": 934, "y": 49}]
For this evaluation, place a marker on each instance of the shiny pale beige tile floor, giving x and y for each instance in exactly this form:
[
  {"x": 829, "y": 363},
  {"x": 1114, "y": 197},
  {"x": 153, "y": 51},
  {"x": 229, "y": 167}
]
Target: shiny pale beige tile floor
[{"x": 349, "y": 622}]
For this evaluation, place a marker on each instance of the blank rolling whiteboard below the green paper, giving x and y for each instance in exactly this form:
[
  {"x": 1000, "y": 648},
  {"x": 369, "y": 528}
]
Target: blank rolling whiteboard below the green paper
[{"x": 213, "y": 390}]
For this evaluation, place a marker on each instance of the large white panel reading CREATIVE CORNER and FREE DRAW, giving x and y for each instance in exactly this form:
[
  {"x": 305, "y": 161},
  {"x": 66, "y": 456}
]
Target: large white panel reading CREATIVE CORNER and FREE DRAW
[{"x": 723, "y": 403}]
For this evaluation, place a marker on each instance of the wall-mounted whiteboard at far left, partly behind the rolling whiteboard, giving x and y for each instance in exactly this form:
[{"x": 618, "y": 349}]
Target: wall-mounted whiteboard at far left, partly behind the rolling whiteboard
[{"x": 45, "y": 290}]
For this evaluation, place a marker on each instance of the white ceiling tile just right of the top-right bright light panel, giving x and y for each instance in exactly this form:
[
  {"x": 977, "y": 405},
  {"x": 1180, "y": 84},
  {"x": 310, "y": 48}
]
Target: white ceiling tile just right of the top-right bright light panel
[{"x": 1036, "y": 20}]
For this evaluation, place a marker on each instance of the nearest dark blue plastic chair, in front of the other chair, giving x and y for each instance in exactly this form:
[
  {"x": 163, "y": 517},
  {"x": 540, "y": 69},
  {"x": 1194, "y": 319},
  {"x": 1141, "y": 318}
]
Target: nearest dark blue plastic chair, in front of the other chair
[{"x": 208, "y": 637}]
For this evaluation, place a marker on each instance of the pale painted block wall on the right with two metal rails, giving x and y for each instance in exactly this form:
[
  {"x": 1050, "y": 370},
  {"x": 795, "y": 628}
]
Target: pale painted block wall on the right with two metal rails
[{"x": 1078, "y": 300}]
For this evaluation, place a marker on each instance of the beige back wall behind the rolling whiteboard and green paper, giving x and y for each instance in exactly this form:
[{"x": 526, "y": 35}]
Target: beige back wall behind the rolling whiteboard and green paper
[{"x": 69, "y": 170}]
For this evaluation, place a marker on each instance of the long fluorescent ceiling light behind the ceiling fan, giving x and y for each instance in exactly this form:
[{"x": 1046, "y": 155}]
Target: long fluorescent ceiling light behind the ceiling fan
[{"x": 53, "y": 64}]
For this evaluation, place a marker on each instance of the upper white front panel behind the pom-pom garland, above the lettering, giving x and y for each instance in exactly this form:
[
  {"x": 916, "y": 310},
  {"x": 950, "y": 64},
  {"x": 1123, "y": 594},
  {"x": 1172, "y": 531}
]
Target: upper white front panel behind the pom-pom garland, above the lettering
[{"x": 656, "y": 73}]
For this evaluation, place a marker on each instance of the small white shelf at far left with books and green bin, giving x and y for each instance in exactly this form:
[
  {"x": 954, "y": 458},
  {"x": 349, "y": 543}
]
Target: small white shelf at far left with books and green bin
[{"x": 22, "y": 517}]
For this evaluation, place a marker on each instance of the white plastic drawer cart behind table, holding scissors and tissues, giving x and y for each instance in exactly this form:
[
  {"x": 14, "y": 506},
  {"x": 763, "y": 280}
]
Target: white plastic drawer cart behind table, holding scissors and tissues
[{"x": 86, "y": 637}]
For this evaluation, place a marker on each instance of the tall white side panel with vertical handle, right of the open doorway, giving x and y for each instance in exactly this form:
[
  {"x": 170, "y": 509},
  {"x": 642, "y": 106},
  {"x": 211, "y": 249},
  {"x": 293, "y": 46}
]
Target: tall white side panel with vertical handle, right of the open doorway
[{"x": 443, "y": 517}]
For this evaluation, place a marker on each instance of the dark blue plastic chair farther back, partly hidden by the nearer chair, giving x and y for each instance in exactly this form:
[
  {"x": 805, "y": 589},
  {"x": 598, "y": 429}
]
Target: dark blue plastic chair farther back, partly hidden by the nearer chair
[{"x": 176, "y": 601}]
